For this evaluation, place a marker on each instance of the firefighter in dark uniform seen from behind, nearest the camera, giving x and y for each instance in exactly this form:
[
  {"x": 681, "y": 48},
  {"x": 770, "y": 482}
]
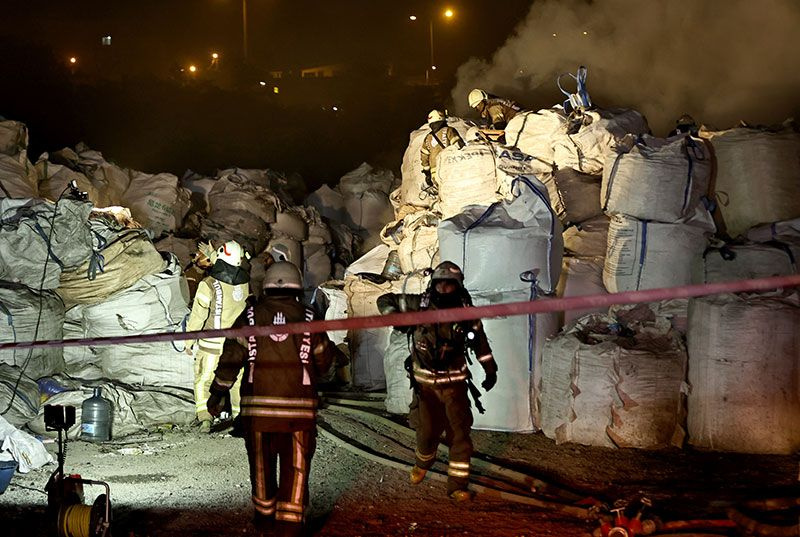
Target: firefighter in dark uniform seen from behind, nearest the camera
[{"x": 278, "y": 398}]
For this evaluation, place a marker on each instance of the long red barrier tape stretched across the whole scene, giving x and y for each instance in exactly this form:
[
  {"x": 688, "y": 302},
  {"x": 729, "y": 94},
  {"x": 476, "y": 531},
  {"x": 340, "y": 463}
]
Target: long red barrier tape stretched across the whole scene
[{"x": 541, "y": 305}]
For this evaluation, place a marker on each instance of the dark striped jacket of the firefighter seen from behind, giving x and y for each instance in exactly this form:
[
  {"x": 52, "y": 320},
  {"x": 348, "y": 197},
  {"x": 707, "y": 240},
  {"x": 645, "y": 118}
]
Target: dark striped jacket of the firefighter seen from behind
[{"x": 279, "y": 392}]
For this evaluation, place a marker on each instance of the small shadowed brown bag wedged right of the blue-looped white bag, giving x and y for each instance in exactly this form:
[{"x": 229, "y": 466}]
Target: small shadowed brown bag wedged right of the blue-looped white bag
[{"x": 575, "y": 196}]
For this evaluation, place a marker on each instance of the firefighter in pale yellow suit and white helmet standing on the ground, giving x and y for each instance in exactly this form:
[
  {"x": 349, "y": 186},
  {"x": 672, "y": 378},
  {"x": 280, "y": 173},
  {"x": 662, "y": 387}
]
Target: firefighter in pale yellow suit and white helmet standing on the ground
[{"x": 220, "y": 298}]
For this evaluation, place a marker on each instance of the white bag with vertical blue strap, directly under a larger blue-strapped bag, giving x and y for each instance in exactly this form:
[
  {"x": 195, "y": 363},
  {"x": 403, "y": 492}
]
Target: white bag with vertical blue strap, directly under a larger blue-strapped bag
[{"x": 649, "y": 255}]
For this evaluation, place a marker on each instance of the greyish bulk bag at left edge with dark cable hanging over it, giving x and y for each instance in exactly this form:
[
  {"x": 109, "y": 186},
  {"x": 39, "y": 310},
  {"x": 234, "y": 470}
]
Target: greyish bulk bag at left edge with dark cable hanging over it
[{"x": 39, "y": 240}]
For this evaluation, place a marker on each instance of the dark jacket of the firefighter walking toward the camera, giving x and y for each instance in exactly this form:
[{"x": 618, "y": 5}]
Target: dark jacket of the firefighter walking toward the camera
[{"x": 439, "y": 351}]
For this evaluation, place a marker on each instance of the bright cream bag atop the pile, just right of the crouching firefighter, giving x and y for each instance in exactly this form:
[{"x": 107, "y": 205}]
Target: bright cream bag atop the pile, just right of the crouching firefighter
[{"x": 533, "y": 132}]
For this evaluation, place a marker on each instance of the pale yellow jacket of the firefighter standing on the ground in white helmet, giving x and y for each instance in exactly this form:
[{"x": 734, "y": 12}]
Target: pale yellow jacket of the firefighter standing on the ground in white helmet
[{"x": 220, "y": 298}]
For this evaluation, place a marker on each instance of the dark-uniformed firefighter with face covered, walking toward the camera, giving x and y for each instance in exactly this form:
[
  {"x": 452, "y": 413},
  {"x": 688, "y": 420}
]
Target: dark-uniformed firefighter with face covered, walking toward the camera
[{"x": 439, "y": 374}]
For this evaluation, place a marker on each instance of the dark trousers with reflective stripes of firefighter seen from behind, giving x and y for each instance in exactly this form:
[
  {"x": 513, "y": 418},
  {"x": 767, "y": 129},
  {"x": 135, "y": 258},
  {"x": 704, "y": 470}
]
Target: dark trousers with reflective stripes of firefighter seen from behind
[{"x": 280, "y": 491}]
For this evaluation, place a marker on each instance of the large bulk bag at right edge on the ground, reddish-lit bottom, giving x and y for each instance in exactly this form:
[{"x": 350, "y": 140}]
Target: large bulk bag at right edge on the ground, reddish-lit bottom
[{"x": 745, "y": 359}]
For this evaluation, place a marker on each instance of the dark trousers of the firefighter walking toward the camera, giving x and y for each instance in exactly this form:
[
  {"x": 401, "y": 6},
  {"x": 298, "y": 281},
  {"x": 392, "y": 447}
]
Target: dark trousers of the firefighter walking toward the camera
[{"x": 445, "y": 409}]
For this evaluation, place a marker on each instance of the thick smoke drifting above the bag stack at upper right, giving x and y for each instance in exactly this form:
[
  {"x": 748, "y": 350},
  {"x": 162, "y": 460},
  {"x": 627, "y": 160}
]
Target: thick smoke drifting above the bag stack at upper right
[{"x": 721, "y": 61}]
